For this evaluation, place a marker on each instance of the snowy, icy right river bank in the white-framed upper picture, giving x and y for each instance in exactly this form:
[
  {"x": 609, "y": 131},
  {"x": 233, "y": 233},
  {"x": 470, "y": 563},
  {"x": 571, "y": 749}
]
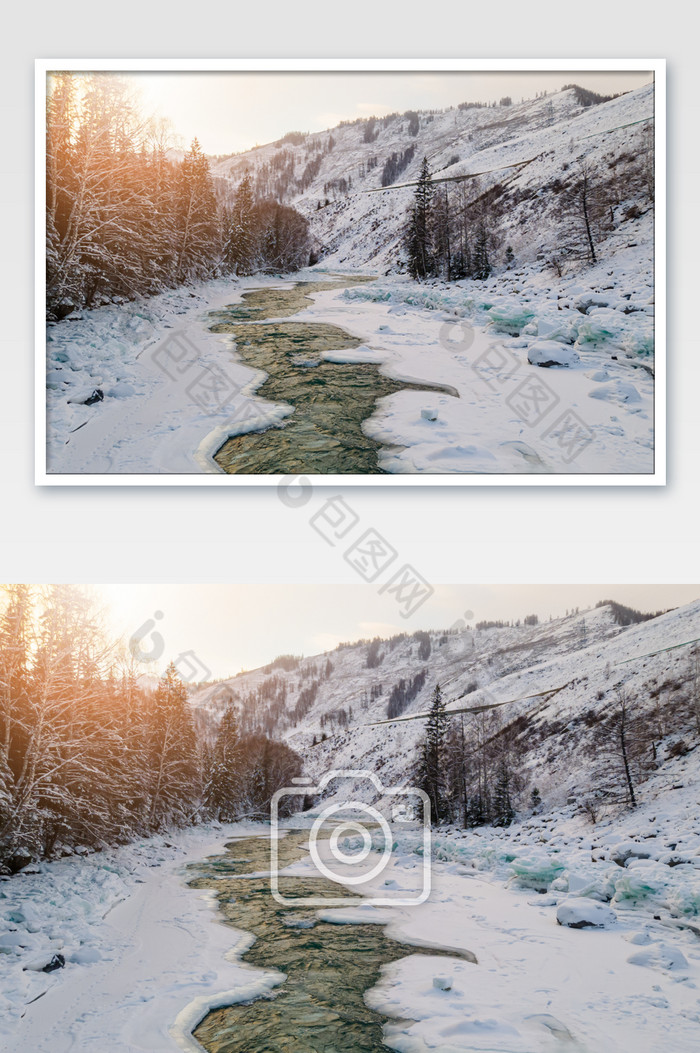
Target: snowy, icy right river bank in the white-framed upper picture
[{"x": 594, "y": 413}]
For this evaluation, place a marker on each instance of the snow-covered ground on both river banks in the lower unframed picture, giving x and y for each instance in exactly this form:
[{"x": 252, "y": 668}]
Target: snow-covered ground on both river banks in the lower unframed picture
[{"x": 147, "y": 957}]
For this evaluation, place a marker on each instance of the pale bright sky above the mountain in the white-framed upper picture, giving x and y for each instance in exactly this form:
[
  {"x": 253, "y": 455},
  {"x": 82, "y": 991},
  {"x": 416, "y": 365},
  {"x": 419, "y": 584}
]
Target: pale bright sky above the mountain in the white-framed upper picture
[{"x": 233, "y": 112}]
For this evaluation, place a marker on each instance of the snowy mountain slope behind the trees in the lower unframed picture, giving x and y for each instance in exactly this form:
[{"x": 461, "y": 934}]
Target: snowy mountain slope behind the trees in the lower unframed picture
[{"x": 327, "y": 707}]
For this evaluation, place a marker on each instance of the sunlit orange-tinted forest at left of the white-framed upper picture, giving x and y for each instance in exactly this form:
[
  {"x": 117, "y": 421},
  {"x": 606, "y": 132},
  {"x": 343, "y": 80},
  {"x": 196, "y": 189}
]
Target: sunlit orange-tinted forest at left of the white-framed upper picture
[{"x": 126, "y": 217}]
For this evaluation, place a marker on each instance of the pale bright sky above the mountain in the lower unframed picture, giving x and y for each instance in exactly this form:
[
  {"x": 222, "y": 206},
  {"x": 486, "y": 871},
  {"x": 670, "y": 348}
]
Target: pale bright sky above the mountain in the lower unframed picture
[{"x": 227, "y": 628}]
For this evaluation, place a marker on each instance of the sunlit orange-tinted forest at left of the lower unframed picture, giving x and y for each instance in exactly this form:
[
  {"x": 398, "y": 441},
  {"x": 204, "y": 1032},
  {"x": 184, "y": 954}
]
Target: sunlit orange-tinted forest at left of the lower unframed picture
[{"x": 90, "y": 756}]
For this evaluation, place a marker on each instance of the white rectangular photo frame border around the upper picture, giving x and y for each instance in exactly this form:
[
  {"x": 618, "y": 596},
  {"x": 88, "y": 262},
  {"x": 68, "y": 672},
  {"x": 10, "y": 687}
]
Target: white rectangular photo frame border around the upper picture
[{"x": 215, "y": 478}]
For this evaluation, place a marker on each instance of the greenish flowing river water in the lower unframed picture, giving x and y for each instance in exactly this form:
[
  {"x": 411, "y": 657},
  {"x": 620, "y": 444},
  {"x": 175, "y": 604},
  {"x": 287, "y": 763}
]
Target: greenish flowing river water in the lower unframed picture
[{"x": 321, "y": 1007}]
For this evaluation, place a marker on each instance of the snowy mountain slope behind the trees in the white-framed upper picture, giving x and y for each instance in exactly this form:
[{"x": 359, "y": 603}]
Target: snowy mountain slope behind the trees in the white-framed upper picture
[{"x": 328, "y": 175}]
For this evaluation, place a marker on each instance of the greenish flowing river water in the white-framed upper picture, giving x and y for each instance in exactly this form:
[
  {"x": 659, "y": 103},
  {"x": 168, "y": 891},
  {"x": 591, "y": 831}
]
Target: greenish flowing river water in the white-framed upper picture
[{"x": 325, "y": 434}]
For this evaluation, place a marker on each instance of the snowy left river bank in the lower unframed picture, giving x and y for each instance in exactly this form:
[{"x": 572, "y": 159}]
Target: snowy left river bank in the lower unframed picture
[{"x": 143, "y": 951}]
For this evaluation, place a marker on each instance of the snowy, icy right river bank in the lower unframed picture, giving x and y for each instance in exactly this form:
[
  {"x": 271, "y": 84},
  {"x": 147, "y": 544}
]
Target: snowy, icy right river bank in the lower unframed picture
[{"x": 627, "y": 981}]
